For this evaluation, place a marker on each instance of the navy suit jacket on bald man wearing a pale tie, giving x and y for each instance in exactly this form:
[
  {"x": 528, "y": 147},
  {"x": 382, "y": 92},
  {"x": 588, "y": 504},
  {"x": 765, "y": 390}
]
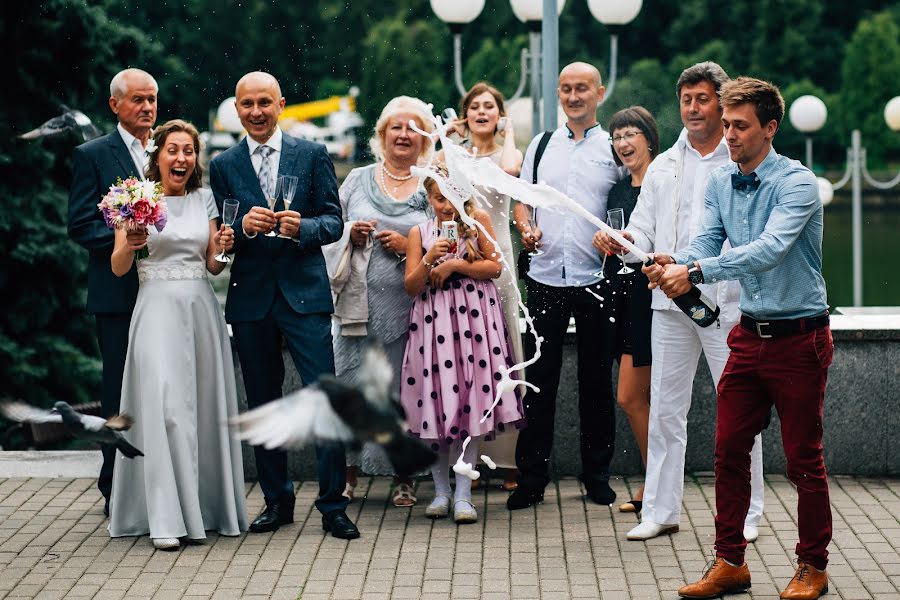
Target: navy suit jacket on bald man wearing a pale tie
[{"x": 262, "y": 264}]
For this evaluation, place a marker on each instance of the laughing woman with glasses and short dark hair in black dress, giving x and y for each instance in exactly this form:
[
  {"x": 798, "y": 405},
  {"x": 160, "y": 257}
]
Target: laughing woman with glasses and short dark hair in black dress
[{"x": 635, "y": 141}]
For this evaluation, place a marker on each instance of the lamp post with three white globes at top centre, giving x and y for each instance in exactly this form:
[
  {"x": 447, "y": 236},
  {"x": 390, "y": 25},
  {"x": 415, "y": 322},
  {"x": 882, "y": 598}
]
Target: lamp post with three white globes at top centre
[{"x": 612, "y": 13}]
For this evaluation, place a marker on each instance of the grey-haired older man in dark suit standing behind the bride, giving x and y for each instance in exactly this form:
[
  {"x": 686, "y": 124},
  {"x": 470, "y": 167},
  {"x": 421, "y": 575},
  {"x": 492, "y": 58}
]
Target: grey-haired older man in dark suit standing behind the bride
[{"x": 95, "y": 166}]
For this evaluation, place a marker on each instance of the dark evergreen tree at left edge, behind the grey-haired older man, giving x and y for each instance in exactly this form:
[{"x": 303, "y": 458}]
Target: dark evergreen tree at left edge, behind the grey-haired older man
[{"x": 47, "y": 347}]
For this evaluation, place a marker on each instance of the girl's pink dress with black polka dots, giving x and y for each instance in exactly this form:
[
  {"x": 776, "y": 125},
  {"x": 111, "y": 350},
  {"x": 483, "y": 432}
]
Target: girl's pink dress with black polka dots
[{"x": 457, "y": 343}]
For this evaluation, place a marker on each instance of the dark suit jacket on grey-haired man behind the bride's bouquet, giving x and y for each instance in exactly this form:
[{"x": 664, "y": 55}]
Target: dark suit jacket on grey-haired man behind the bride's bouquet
[{"x": 95, "y": 166}]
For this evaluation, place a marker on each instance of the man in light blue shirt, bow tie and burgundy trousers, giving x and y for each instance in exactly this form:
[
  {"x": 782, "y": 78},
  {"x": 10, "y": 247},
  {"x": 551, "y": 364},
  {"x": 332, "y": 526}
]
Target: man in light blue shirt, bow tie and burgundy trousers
[{"x": 767, "y": 206}]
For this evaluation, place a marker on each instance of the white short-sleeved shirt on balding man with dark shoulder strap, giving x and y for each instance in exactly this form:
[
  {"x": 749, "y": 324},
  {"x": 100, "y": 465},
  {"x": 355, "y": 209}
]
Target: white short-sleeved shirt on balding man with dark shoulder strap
[{"x": 584, "y": 170}]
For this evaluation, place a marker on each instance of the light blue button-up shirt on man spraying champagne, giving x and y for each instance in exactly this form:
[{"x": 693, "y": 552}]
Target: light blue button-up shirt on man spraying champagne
[{"x": 776, "y": 237}]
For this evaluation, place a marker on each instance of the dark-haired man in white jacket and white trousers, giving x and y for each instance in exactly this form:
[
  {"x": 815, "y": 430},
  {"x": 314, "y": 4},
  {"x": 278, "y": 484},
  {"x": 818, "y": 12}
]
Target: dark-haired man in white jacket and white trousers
[{"x": 669, "y": 213}]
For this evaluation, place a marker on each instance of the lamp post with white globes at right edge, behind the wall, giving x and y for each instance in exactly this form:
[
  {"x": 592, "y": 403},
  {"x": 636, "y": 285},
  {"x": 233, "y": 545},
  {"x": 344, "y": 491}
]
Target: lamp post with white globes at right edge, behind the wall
[{"x": 808, "y": 115}]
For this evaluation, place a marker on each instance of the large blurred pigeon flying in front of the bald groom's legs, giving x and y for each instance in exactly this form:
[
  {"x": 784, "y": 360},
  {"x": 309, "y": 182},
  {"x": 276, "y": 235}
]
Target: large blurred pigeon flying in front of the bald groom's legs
[{"x": 331, "y": 411}]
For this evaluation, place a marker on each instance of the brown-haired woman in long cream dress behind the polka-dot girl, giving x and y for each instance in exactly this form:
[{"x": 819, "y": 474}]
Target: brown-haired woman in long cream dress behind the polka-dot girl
[{"x": 483, "y": 119}]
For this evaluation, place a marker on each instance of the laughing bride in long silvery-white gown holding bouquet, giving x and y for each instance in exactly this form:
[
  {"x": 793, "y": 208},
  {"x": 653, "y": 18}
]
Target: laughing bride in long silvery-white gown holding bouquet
[{"x": 179, "y": 380}]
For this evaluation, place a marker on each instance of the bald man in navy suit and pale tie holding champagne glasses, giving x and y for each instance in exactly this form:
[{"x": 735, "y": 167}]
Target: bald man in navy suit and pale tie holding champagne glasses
[{"x": 279, "y": 290}]
